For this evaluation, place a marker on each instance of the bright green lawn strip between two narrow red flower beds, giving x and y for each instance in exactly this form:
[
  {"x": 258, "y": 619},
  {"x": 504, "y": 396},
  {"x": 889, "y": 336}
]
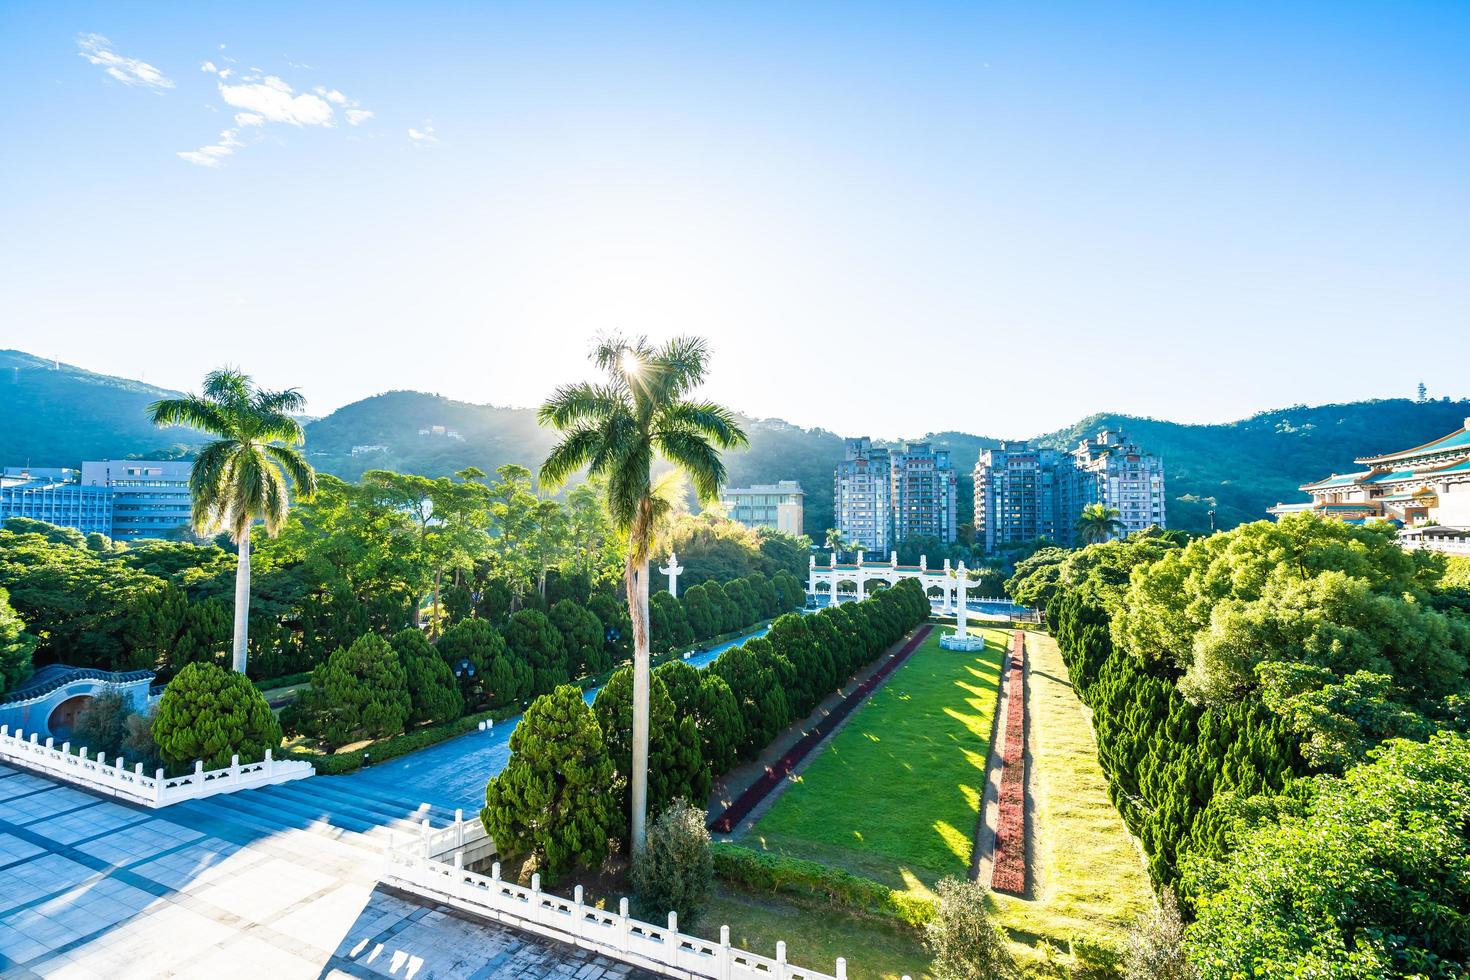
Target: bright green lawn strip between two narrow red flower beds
[{"x": 896, "y": 796}]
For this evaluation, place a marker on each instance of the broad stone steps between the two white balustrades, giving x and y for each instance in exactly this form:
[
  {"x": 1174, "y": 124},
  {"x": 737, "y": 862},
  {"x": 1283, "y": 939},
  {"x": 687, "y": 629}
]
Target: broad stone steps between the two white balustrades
[{"x": 359, "y": 816}]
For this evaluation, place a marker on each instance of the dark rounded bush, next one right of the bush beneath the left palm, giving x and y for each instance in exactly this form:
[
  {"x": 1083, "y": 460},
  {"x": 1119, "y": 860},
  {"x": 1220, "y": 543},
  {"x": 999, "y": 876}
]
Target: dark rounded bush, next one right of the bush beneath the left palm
[{"x": 361, "y": 693}]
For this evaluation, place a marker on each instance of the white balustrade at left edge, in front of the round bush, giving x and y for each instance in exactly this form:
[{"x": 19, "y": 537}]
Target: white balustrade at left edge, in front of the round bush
[{"x": 137, "y": 787}]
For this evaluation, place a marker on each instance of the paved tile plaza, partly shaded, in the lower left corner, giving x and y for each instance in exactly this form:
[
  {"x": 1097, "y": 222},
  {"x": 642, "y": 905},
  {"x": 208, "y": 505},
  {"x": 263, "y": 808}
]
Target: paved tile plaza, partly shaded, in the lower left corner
[{"x": 252, "y": 885}]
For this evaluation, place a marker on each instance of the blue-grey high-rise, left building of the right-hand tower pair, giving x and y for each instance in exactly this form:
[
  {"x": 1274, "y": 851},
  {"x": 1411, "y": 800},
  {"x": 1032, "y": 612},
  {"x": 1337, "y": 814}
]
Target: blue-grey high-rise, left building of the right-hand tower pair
[{"x": 1019, "y": 496}]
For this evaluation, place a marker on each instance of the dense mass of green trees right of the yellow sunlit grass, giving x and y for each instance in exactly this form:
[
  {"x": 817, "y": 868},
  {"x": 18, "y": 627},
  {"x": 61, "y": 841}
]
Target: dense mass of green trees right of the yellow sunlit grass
[{"x": 1240, "y": 687}]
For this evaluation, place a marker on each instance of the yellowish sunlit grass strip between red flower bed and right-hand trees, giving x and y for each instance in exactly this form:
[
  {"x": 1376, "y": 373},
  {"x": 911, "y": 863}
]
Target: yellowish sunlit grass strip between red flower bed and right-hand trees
[{"x": 1089, "y": 876}]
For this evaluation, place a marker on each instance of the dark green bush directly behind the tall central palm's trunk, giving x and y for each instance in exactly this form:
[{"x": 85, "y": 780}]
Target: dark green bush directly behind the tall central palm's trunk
[{"x": 675, "y": 763}]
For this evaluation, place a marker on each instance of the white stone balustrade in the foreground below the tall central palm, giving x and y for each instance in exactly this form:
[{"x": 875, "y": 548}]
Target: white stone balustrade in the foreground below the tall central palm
[{"x": 658, "y": 948}]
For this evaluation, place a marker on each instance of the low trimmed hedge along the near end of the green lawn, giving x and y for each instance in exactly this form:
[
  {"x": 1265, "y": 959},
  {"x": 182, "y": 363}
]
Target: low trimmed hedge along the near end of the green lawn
[{"x": 759, "y": 871}]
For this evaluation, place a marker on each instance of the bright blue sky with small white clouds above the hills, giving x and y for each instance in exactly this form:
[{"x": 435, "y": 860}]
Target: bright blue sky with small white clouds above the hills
[{"x": 887, "y": 220}]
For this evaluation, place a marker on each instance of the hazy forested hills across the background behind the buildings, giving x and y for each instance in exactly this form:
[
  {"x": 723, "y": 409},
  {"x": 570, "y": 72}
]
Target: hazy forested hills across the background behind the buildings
[{"x": 58, "y": 415}]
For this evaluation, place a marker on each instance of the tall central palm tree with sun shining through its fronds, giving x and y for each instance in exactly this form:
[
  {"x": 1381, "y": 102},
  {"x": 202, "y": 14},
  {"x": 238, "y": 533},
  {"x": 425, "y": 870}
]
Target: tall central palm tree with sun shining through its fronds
[{"x": 615, "y": 430}]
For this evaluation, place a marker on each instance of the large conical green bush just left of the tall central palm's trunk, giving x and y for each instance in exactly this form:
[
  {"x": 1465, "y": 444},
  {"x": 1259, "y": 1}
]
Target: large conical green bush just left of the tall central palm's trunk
[{"x": 555, "y": 799}]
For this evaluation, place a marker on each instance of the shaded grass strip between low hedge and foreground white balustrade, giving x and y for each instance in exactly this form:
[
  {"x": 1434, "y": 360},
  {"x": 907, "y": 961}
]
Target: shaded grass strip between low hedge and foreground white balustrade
[{"x": 817, "y": 935}]
